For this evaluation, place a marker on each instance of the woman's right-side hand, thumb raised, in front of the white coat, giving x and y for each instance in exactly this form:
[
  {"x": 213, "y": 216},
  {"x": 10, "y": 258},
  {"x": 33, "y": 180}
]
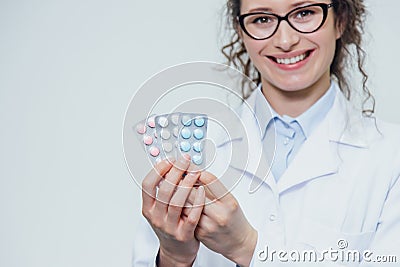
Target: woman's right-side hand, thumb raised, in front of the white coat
[{"x": 223, "y": 227}]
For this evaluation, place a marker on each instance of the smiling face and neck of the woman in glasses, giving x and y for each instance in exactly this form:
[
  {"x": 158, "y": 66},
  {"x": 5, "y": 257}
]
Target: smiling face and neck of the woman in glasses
[{"x": 273, "y": 57}]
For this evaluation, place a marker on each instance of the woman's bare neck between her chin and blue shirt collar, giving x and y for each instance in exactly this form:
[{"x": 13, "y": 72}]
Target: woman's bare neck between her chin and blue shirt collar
[{"x": 294, "y": 103}]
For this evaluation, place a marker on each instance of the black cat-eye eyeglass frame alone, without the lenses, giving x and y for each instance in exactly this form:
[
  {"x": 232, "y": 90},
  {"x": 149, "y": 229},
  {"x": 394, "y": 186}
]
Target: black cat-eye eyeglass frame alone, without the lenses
[{"x": 324, "y": 7}]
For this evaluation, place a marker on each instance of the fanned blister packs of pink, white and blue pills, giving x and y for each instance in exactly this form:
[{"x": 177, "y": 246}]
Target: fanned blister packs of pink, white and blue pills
[{"x": 172, "y": 135}]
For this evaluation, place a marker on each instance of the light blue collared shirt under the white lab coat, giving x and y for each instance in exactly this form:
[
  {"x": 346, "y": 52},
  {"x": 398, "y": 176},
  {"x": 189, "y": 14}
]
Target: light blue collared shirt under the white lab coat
[{"x": 290, "y": 133}]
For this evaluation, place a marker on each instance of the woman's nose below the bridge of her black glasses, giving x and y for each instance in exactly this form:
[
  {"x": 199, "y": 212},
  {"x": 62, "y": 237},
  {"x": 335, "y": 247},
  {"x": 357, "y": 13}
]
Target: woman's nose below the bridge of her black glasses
[{"x": 285, "y": 37}]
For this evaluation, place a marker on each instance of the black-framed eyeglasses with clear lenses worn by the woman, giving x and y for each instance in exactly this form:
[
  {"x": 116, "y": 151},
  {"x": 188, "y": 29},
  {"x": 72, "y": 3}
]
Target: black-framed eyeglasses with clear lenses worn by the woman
[{"x": 306, "y": 19}]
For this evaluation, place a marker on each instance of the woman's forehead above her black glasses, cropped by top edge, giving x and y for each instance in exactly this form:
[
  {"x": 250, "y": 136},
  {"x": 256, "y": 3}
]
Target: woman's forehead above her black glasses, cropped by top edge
[{"x": 276, "y": 6}]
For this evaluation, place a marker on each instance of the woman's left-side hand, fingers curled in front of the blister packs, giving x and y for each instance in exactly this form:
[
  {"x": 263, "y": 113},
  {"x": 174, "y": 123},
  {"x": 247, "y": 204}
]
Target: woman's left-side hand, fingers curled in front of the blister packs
[{"x": 178, "y": 246}]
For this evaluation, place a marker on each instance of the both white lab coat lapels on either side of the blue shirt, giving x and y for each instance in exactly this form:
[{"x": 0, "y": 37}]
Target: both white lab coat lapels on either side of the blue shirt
[{"x": 318, "y": 157}]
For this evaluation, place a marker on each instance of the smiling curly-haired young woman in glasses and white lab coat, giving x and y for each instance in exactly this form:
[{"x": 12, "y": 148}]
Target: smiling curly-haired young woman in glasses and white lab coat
[{"x": 334, "y": 182}]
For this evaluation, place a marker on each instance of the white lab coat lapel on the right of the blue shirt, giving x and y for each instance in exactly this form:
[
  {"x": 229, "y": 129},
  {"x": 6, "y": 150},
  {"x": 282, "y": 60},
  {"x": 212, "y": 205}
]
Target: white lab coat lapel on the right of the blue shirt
[{"x": 318, "y": 157}]
